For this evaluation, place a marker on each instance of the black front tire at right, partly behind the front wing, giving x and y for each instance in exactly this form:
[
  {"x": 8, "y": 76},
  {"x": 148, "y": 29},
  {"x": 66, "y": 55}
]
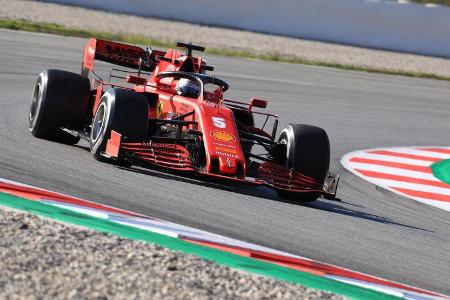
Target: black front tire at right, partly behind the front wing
[{"x": 307, "y": 152}]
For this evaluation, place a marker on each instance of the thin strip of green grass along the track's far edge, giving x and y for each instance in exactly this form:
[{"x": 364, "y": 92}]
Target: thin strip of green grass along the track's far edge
[{"x": 135, "y": 39}]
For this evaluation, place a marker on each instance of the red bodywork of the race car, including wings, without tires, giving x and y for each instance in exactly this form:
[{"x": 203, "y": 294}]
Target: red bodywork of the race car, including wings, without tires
[{"x": 211, "y": 119}]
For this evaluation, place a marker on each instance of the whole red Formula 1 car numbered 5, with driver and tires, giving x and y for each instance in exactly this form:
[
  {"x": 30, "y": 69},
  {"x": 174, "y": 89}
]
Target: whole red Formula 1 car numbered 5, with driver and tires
[{"x": 167, "y": 112}]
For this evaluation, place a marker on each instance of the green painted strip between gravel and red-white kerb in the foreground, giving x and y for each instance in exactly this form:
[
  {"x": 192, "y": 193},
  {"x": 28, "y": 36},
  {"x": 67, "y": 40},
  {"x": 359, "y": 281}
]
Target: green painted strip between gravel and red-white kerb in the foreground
[{"x": 221, "y": 257}]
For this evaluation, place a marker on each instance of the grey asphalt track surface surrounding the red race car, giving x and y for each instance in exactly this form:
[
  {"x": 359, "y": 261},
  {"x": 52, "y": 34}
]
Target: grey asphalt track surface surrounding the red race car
[{"x": 371, "y": 230}]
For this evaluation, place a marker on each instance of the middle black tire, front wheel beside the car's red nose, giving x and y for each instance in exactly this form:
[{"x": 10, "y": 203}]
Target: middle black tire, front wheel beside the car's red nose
[{"x": 123, "y": 111}]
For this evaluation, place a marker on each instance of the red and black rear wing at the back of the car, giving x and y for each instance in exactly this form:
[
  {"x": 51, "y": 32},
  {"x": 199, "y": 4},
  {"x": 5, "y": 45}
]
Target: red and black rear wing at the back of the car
[{"x": 119, "y": 54}]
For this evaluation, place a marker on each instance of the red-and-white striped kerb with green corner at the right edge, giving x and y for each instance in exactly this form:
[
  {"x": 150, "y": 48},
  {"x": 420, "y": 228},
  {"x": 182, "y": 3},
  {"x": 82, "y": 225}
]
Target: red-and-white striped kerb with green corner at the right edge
[{"x": 419, "y": 173}]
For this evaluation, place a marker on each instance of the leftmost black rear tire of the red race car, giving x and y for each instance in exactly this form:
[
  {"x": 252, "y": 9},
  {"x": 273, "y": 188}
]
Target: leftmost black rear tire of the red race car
[{"x": 60, "y": 99}]
